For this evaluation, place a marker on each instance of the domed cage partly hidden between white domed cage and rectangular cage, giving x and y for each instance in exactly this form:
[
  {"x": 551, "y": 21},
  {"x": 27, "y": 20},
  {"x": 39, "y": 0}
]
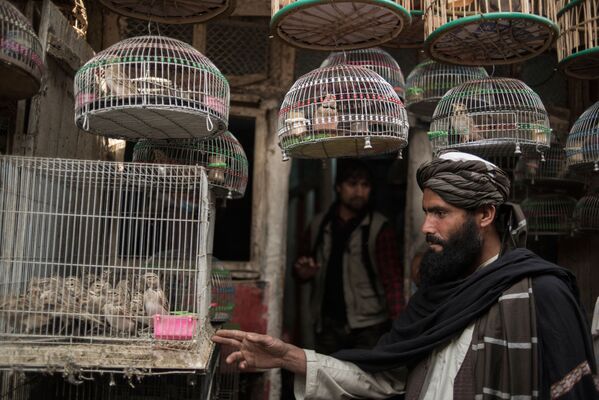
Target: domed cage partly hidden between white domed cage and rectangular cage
[{"x": 222, "y": 156}]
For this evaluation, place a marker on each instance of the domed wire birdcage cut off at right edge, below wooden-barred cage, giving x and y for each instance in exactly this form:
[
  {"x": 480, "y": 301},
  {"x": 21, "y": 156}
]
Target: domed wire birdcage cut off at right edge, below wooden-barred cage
[{"x": 582, "y": 146}]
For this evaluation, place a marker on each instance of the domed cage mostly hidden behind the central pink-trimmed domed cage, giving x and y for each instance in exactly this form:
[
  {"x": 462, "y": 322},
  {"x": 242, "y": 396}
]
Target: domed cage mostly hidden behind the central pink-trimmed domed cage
[{"x": 375, "y": 59}]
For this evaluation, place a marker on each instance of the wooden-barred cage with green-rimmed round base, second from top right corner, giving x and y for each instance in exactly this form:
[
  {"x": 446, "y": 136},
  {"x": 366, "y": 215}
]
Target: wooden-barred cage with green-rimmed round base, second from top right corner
[{"x": 488, "y": 32}]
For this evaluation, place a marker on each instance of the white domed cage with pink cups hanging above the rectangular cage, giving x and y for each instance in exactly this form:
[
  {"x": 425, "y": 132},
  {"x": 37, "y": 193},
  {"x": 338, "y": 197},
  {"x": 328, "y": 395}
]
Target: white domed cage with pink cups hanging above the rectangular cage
[{"x": 151, "y": 87}]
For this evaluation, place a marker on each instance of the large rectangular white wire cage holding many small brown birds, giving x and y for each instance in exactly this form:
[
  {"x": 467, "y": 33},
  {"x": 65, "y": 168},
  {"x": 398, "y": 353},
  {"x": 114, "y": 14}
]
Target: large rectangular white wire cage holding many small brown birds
[{"x": 102, "y": 263}]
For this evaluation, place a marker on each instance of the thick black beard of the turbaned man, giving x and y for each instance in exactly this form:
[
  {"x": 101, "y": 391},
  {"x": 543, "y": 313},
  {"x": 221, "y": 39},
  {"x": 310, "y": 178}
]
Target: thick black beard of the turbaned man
[{"x": 457, "y": 258}]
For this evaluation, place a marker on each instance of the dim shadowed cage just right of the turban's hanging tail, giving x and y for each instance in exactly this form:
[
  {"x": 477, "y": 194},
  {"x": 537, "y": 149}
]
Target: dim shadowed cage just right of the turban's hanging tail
[{"x": 548, "y": 214}]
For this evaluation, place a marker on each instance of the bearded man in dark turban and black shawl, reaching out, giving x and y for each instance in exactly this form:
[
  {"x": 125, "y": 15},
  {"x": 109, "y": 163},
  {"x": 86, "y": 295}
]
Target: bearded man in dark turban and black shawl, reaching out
[{"x": 486, "y": 323}]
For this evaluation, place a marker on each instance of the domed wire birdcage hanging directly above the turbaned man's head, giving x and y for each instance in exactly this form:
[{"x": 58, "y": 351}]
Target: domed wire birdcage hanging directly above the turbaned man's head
[{"x": 493, "y": 116}]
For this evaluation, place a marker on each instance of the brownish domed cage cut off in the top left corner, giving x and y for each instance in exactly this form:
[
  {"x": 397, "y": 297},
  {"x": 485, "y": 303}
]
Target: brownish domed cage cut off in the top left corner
[{"x": 21, "y": 55}]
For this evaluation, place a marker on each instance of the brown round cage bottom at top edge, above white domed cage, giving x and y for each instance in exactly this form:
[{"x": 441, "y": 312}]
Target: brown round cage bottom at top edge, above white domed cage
[{"x": 172, "y": 11}]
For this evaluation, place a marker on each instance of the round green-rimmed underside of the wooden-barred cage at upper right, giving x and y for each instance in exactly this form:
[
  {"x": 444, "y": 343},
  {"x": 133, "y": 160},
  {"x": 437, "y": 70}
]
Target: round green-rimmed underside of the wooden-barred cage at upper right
[{"x": 491, "y": 39}]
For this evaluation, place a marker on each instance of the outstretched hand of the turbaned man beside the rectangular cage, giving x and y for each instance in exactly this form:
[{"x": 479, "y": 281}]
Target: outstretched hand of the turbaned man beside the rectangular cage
[{"x": 255, "y": 351}]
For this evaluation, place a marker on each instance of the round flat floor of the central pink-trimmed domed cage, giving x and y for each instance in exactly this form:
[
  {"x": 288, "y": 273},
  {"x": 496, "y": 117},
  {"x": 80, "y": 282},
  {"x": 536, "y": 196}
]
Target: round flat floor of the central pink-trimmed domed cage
[{"x": 346, "y": 147}]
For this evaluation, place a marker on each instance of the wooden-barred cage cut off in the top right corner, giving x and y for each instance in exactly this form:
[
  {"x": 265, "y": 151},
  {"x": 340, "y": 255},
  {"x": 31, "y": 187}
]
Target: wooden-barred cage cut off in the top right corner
[{"x": 578, "y": 43}]
